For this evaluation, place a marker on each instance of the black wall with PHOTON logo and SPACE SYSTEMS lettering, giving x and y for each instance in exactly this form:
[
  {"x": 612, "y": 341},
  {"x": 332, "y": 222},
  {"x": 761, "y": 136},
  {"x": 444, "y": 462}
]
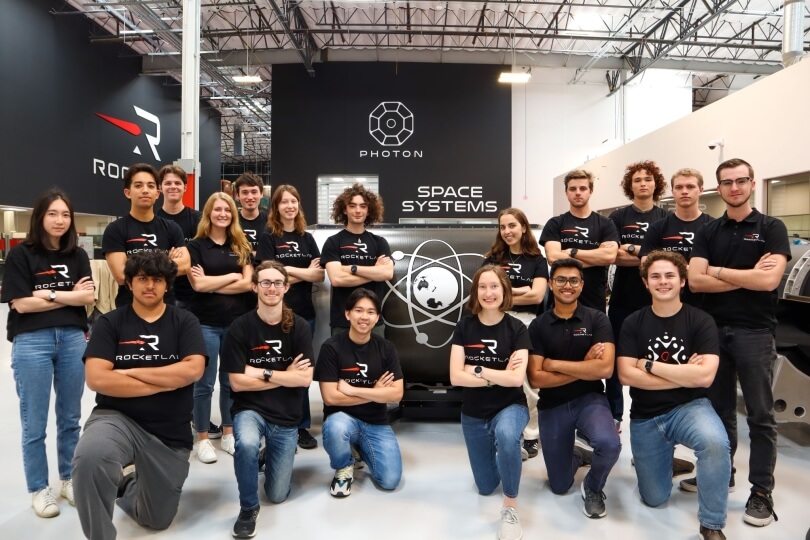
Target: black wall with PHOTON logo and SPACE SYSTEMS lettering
[{"x": 461, "y": 128}]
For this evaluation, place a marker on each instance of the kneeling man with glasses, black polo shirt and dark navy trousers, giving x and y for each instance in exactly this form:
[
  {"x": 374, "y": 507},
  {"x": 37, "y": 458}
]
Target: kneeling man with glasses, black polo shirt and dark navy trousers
[{"x": 572, "y": 351}]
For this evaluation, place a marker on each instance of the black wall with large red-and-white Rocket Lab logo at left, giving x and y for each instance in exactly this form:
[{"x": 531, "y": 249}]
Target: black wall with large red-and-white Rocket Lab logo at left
[{"x": 54, "y": 82}]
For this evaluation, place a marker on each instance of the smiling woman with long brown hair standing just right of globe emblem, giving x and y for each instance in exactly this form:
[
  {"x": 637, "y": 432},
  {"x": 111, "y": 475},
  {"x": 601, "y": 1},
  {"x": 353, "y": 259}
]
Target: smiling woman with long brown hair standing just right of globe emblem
[{"x": 515, "y": 250}]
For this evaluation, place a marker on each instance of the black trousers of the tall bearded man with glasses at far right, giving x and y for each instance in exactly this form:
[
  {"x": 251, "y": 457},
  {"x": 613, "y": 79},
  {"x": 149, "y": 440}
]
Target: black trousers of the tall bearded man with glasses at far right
[{"x": 750, "y": 356}]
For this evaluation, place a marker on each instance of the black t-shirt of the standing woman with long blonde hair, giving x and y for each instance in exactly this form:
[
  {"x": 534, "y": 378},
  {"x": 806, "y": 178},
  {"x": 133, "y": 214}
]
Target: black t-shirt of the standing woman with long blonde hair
[{"x": 217, "y": 309}]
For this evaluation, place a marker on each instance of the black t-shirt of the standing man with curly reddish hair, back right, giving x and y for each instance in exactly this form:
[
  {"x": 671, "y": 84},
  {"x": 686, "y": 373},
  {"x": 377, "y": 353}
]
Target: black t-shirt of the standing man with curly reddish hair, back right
[{"x": 632, "y": 224}]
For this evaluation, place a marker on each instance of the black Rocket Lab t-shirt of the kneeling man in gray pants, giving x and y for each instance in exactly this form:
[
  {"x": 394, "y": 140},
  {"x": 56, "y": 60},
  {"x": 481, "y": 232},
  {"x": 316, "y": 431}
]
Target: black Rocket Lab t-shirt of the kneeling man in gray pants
[{"x": 128, "y": 341}]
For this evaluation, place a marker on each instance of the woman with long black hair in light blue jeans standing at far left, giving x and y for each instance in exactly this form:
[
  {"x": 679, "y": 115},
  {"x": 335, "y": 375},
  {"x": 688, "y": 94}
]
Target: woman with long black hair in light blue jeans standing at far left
[{"x": 47, "y": 284}]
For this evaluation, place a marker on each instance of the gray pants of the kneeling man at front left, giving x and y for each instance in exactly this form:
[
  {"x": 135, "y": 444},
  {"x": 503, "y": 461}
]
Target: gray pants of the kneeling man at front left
[{"x": 111, "y": 441}]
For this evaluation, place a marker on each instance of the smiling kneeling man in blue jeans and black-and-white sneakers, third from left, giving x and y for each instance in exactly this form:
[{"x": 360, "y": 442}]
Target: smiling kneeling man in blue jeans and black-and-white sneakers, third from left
[{"x": 359, "y": 374}]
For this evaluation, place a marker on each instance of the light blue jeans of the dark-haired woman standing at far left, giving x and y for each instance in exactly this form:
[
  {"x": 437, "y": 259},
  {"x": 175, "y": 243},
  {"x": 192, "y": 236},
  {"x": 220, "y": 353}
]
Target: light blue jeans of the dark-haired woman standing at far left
[{"x": 51, "y": 356}]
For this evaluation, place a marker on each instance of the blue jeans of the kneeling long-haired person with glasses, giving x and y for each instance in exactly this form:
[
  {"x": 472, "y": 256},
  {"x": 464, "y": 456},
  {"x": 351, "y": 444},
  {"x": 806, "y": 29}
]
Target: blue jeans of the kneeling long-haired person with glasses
[{"x": 249, "y": 428}]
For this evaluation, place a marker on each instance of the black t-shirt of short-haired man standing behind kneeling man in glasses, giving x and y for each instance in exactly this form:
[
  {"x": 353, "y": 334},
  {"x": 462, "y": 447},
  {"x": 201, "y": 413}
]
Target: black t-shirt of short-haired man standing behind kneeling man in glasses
[{"x": 584, "y": 234}]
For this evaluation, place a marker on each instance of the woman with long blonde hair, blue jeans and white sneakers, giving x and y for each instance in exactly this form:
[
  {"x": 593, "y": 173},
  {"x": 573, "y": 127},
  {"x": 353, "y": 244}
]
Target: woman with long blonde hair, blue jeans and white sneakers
[{"x": 221, "y": 267}]
